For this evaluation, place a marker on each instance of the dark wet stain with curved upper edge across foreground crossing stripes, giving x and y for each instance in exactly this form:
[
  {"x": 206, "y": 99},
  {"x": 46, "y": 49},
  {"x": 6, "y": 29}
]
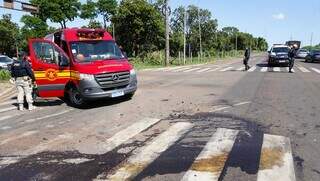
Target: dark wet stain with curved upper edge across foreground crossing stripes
[{"x": 181, "y": 156}]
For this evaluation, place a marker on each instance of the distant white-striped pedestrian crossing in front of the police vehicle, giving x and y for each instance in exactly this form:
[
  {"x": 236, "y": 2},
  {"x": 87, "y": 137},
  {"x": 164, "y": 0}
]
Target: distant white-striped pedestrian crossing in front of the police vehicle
[{"x": 230, "y": 68}]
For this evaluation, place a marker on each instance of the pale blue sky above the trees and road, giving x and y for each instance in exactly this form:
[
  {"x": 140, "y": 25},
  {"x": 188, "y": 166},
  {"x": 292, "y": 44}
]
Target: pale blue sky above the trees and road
[{"x": 275, "y": 20}]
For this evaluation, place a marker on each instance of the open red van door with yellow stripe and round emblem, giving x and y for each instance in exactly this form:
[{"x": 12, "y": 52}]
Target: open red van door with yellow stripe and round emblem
[{"x": 51, "y": 67}]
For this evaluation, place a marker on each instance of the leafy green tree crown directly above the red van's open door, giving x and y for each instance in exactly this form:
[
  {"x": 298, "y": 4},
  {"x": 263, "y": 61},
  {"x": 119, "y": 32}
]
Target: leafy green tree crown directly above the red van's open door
[{"x": 58, "y": 11}]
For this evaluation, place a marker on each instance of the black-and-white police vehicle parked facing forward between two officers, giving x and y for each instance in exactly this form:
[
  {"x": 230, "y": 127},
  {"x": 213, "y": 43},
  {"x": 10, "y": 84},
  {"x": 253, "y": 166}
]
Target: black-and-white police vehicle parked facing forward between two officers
[{"x": 279, "y": 55}]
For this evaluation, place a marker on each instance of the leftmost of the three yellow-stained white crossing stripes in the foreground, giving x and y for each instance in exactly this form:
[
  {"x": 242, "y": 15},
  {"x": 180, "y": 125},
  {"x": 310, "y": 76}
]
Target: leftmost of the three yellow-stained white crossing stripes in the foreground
[{"x": 150, "y": 152}]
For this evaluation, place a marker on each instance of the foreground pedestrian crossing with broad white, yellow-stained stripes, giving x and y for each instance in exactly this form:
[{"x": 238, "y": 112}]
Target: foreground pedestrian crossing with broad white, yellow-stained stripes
[{"x": 276, "y": 160}]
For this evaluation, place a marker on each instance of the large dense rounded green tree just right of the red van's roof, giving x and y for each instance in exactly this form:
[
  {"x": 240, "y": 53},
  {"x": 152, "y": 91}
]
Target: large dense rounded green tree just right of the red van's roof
[{"x": 139, "y": 26}]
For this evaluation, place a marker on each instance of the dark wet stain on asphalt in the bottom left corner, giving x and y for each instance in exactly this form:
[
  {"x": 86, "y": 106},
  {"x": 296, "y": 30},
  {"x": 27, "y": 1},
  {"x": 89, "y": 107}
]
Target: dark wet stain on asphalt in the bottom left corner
[{"x": 55, "y": 166}]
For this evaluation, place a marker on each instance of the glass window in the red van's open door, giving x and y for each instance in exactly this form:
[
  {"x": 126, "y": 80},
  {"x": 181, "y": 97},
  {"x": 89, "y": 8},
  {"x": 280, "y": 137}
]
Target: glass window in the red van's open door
[{"x": 47, "y": 53}]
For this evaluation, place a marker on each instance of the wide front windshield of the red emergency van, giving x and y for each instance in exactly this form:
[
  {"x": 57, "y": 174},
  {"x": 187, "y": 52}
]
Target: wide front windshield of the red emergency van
[{"x": 90, "y": 51}]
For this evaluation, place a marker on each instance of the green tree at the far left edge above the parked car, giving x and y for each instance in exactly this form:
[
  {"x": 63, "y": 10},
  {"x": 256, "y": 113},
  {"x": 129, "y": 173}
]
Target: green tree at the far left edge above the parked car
[{"x": 9, "y": 33}]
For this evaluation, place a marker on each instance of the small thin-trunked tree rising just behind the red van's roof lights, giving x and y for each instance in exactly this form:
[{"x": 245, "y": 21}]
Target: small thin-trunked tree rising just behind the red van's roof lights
[{"x": 107, "y": 8}]
